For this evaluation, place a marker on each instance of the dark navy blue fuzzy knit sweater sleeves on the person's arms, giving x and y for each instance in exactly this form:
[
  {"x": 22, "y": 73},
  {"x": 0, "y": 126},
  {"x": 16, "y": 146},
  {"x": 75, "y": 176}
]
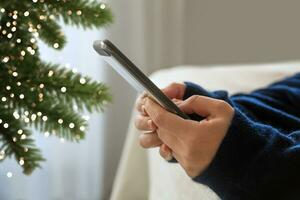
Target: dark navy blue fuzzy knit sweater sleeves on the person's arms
[{"x": 259, "y": 157}]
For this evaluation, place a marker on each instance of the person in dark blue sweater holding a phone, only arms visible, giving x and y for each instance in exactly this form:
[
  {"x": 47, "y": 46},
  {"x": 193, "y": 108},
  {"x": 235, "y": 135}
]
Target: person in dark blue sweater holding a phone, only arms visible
[{"x": 247, "y": 146}]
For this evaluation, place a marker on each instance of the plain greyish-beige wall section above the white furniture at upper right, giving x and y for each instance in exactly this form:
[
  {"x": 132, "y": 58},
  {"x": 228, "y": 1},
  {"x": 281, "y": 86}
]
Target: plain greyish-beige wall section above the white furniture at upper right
[{"x": 236, "y": 31}]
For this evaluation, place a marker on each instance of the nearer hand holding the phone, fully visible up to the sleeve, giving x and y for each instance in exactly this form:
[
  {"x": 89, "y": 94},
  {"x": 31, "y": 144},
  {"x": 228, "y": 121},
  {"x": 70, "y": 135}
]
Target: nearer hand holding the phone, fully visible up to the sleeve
[{"x": 194, "y": 144}]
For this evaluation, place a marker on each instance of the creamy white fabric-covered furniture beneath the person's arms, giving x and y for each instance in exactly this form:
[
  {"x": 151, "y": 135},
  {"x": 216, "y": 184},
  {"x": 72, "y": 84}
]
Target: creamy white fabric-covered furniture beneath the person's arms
[{"x": 143, "y": 174}]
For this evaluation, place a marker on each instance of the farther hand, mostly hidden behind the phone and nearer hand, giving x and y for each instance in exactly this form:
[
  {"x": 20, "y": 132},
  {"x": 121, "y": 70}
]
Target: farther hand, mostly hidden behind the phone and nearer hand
[{"x": 149, "y": 137}]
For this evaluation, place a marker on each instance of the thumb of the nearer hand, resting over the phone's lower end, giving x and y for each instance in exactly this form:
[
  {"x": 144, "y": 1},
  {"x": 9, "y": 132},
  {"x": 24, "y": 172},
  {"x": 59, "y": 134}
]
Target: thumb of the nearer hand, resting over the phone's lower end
[{"x": 200, "y": 105}]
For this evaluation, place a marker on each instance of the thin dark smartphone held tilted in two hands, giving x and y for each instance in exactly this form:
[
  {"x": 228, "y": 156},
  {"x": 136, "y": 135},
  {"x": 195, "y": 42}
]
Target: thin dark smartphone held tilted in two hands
[{"x": 131, "y": 73}]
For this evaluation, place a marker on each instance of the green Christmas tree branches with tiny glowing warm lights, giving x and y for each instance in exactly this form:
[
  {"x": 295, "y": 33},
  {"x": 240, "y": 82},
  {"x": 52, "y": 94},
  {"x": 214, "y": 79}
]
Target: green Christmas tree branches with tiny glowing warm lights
[{"x": 38, "y": 95}]
